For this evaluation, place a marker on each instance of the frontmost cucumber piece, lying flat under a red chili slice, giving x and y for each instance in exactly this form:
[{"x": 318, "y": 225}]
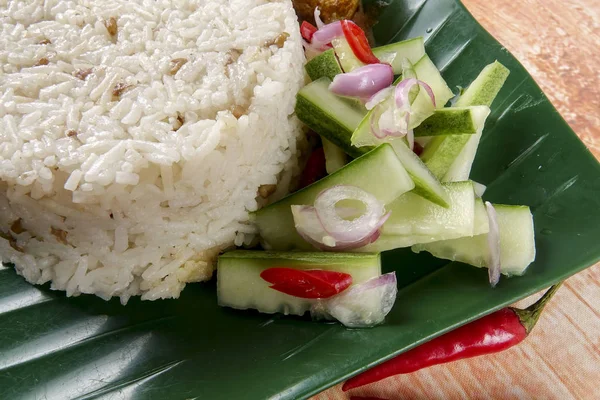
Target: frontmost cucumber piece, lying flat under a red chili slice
[{"x": 240, "y": 286}]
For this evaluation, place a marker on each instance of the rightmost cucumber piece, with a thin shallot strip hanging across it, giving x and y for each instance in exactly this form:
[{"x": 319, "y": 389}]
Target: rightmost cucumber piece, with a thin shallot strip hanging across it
[{"x": 517, "y": 243}]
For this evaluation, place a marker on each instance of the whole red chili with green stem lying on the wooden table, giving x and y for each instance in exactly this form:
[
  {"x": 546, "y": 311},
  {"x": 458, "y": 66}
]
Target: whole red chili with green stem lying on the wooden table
[{"x": 493, "y": 333}]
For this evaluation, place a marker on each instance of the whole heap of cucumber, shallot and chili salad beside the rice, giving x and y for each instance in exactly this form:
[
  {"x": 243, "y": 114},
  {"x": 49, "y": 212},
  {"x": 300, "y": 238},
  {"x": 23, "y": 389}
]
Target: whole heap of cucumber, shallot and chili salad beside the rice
[{"x": 398, "y": 163}]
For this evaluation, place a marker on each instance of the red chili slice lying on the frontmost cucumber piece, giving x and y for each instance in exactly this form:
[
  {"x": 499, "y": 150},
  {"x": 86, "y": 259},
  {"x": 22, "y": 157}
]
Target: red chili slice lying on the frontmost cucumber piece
[{"x": 312, "y": 284}]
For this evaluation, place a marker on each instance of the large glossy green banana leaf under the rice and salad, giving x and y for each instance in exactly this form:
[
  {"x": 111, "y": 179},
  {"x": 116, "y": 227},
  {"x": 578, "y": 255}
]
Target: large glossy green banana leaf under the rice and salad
[{"x": 54, "y": 347}]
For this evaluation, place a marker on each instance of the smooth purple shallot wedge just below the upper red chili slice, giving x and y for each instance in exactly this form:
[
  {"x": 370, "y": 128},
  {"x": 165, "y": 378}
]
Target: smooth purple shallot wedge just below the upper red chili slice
[{"x": 363, "y": 82}]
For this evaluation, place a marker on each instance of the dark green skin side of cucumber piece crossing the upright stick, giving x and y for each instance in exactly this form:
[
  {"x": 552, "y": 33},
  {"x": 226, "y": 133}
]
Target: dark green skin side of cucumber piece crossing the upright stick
[{"x": 447, "y": 121}]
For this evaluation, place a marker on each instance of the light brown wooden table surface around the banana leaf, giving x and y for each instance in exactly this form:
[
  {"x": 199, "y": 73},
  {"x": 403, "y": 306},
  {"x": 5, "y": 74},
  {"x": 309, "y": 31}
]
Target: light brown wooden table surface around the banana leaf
[{"x": 558, "y": 41}]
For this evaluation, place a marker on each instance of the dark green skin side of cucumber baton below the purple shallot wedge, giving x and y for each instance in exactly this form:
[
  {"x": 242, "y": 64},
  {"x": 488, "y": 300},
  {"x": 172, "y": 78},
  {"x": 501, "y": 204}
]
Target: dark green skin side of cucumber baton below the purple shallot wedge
[{"x": 317, "y": 119}]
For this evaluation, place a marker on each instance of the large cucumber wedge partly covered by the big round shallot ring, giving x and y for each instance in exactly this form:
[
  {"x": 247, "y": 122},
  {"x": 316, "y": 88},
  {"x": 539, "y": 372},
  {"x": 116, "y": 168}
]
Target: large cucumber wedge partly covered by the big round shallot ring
[{"x": 378, "y": 172}]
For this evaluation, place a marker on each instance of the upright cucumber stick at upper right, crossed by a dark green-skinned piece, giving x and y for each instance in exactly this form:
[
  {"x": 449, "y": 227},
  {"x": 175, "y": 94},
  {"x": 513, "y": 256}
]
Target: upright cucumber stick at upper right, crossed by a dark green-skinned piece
[{"x": 481, "y": 92}]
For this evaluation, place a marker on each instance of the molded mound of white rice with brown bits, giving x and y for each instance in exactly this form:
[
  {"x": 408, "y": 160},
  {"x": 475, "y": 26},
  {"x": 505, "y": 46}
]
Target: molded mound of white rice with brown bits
[{"x": 134, "y": 136}]
